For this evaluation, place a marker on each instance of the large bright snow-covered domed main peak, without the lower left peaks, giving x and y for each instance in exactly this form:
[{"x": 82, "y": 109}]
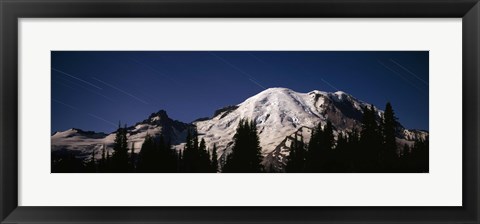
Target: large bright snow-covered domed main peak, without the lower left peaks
[{"x": 281, "y": 112}]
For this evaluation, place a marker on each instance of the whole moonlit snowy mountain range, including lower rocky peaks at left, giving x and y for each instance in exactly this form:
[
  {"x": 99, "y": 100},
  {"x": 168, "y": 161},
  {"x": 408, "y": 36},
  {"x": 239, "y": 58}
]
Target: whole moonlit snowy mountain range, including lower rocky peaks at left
[{"x": 278, "y": 112}]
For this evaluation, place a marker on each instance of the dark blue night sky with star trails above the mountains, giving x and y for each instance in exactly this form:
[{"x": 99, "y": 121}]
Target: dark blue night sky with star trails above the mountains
[{"x": 95, "y": 90}]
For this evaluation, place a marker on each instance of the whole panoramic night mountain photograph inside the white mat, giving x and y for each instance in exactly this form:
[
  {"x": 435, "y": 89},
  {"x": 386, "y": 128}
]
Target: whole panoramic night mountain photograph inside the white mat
[{"x": 239, "y": 111}]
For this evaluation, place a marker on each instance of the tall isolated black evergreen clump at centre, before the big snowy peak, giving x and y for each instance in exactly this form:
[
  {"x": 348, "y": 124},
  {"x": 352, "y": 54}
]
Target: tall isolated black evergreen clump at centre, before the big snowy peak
[{"x": 246, "y": 152}]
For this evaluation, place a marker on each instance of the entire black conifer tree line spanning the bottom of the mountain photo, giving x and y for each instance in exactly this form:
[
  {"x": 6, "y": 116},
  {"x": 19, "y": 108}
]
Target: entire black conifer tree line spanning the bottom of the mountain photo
[{"x": 373, "y": 149}]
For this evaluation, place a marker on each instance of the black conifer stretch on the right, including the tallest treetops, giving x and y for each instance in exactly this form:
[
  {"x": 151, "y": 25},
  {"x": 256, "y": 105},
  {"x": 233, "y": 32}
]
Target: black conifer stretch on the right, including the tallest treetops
[{"x": 374, "y": 149}]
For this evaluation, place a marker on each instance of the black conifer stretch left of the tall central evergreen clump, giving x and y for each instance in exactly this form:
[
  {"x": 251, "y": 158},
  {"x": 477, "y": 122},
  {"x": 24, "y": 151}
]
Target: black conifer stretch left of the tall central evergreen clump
[{"x": 156, "y": 156}]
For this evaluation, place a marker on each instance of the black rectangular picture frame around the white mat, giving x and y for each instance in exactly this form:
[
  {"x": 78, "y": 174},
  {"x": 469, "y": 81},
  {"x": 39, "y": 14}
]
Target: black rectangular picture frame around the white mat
[{"x": 12, "y": 10}]
